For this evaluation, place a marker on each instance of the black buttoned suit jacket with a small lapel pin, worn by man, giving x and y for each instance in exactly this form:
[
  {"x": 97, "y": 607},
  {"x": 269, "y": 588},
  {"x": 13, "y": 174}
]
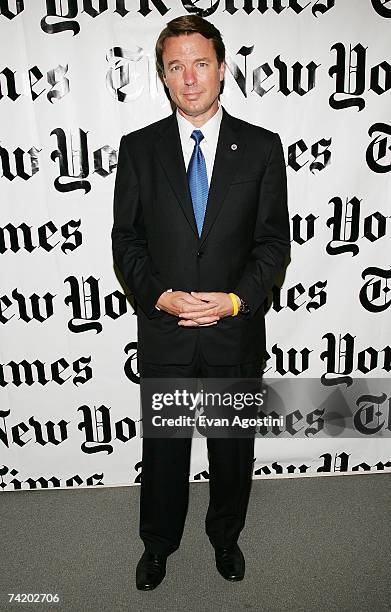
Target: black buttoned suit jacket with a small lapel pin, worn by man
[{"x": 243, "y": 244}]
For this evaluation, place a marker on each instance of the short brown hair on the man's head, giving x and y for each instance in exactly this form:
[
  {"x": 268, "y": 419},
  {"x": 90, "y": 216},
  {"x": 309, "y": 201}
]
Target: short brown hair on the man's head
[{"x": 189, "y": 24}]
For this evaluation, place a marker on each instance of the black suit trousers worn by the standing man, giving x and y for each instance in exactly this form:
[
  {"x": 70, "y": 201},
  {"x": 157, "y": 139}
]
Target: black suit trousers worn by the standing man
[{"x": 166, "y": 469}]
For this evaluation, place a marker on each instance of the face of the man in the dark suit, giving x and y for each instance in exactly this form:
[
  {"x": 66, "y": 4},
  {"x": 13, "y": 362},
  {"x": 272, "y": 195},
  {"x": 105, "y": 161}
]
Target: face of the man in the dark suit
[{"x": 192, "y": 74}]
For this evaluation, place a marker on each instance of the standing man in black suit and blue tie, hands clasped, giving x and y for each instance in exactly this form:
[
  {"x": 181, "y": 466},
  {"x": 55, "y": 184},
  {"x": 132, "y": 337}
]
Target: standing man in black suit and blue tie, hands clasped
[{"x": 200, "y": 232}]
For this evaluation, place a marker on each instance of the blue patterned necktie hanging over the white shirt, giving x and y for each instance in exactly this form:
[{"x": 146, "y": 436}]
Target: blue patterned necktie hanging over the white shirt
[{"x": 198, "y": 180}]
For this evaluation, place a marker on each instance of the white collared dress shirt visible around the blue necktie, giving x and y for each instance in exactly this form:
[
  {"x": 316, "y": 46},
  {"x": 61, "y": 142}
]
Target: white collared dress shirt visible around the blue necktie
[{"x": 208, "y": 144}]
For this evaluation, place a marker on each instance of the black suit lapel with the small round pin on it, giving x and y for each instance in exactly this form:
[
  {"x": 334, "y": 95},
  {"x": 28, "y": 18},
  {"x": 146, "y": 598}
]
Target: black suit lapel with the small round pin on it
[{"x": 229, "y": 151}]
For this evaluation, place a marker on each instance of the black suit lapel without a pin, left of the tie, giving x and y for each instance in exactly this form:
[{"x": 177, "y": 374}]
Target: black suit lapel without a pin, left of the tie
[{"x": 169, "y": 151}]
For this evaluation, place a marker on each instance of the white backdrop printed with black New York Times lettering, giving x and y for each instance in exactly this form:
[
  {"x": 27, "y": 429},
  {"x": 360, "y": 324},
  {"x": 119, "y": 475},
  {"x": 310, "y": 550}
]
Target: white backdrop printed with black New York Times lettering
[{"x": 76, "y": 75}]
